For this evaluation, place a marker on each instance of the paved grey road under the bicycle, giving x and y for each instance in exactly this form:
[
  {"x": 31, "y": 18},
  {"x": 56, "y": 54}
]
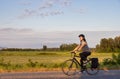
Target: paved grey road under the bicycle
[{"x": 112, "y": 74}]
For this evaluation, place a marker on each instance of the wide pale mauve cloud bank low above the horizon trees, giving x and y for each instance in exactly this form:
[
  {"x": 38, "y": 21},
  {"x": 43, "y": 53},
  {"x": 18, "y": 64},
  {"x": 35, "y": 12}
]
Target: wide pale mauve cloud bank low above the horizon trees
[{"x": 27, "y": 38}]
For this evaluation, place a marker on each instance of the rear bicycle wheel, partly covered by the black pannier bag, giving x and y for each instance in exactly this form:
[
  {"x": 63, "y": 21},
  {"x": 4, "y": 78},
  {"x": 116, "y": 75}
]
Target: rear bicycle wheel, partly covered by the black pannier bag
[{"x": 90, "y": 70}]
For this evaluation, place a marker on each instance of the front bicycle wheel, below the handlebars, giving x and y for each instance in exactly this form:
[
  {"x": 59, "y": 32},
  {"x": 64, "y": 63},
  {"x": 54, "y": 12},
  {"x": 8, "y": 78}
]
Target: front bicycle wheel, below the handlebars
[{"x": 69, "y": 67}]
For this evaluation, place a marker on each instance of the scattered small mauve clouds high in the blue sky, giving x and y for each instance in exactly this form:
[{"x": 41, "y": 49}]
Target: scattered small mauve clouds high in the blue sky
[{"x": 46, "y": 8}]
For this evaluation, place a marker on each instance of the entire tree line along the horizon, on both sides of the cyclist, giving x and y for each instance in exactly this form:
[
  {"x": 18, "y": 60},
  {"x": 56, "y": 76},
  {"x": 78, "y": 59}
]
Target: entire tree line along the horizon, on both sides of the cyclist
[{"x": 106, "y": 45}]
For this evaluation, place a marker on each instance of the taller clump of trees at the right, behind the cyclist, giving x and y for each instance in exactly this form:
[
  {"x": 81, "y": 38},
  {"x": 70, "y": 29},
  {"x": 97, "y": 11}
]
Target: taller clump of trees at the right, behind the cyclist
[{"x": 109, "y": 45}]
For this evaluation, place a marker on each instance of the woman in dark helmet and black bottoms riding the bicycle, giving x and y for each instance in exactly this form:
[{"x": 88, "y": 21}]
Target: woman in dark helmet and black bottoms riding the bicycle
[{"x": 84, "y": 47}]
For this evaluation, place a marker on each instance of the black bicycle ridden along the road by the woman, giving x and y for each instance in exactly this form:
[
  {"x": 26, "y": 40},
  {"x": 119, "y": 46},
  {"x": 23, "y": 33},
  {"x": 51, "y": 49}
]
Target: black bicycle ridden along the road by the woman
[{"x": 73, "y": 66}]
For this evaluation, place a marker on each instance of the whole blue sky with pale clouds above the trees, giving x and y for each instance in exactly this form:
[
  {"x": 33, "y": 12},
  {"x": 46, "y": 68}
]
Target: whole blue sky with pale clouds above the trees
[{"x": 33, "y": 23}]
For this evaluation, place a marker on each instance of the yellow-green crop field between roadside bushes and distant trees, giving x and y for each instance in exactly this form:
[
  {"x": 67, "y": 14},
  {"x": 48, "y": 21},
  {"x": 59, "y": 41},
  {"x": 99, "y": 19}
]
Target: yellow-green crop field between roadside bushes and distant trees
[{"x": 22, "y": 57}]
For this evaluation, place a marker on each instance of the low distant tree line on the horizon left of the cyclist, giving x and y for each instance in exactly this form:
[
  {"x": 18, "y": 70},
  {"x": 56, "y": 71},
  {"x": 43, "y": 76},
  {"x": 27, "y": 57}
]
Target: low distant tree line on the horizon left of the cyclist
[{"x": 62, "y": 47}]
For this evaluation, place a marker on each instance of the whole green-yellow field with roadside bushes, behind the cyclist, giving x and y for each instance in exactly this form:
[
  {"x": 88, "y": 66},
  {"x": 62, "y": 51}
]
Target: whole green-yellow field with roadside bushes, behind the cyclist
[{"x": 19, "y": 60}]
